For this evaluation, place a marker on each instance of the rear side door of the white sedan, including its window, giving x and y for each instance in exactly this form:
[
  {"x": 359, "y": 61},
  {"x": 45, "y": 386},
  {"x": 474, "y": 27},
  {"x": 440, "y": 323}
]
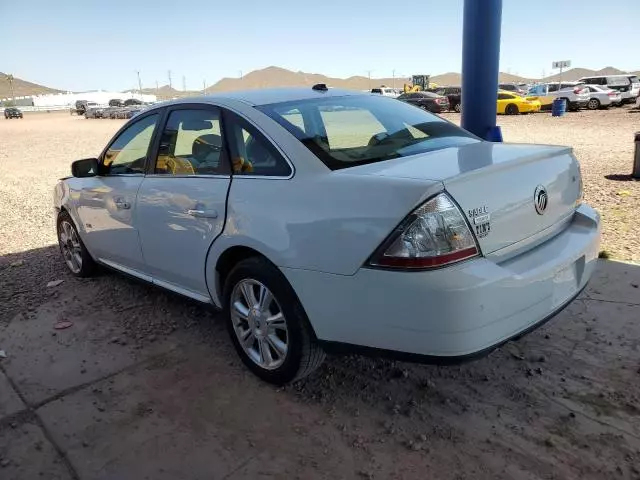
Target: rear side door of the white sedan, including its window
[{"x": 182, "y": 200}]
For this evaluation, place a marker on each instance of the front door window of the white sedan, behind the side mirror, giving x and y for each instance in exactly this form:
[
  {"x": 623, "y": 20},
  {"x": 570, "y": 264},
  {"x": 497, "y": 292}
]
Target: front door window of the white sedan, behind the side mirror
[{"x": 128, "y": 153}]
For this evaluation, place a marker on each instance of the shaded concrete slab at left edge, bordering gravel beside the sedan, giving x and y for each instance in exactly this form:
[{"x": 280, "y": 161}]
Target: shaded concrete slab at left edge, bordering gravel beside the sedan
[{"x": 45, "y": 361}]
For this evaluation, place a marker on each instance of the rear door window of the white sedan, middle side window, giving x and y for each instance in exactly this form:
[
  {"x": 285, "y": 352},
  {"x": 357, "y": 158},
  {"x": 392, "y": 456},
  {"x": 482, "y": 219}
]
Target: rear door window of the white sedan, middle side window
[{"x": 192, "y": 144}]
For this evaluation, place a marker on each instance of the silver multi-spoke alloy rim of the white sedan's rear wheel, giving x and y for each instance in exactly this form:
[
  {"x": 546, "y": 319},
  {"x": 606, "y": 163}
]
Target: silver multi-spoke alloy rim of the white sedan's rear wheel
[{"x": 259, "y": 323}]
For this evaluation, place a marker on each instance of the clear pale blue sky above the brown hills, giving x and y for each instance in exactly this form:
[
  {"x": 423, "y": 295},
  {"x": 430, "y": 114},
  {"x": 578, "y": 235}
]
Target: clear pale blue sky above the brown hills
[{"x": 89, "y": 44}]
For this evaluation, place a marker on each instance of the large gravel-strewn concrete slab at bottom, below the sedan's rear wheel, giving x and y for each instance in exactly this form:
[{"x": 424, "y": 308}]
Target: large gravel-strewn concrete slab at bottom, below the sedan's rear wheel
[{"x": 193, "y": 416}]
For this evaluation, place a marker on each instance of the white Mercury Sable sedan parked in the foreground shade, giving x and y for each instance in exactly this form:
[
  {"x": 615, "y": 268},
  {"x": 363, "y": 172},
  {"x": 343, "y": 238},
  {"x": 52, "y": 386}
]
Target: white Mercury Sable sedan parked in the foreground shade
[{"x": 322, "y": 219}]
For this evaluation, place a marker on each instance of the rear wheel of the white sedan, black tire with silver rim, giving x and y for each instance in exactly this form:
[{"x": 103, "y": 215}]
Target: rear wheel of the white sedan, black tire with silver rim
[{"x": 267, "y": 324}]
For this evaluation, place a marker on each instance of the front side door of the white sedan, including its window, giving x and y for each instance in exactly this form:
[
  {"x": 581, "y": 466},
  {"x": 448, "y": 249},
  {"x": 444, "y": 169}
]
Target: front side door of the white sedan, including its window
[{"x": 106, "y": 206}]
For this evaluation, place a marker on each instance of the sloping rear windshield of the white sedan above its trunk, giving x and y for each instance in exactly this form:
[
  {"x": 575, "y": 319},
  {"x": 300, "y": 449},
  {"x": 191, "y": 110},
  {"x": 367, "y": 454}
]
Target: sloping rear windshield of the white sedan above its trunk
[{"x": 354, "y": 130}]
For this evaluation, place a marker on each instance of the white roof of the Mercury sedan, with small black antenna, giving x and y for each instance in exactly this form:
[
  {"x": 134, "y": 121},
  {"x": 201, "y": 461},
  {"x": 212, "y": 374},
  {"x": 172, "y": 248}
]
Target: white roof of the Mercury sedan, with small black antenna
[{"x": 269, "y": 95}]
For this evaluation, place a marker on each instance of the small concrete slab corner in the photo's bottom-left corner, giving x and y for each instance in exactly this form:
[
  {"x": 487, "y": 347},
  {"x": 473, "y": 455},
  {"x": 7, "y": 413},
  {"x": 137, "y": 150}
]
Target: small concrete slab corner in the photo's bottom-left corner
[{"x": 25, "y": 454}]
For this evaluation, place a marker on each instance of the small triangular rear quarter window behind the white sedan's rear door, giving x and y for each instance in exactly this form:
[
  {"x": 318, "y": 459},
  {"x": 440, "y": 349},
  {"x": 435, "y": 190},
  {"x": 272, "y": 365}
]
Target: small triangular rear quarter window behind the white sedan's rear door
[{"x": 251, "y": 152}]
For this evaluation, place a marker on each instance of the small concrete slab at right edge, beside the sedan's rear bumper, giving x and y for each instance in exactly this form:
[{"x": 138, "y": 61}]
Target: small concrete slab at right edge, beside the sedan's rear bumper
[{"x": 615, "y": 282}]
